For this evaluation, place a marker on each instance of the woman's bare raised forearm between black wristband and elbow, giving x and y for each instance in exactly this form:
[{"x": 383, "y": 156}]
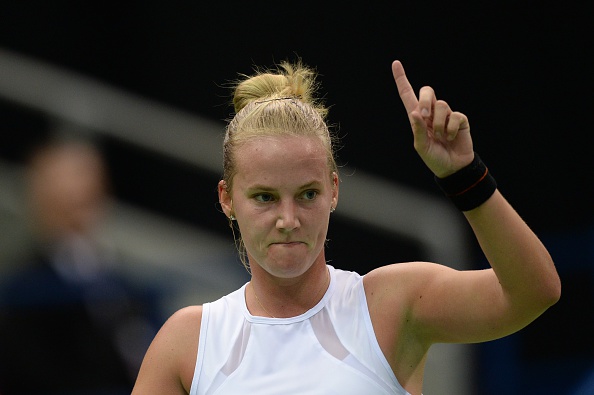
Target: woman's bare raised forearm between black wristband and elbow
[{"x": 522, "y": 264}]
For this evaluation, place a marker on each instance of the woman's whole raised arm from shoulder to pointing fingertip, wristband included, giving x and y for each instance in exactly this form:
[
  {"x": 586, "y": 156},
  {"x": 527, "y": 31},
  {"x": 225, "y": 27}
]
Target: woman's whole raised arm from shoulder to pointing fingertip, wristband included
[{"x": 446, "y": 305}]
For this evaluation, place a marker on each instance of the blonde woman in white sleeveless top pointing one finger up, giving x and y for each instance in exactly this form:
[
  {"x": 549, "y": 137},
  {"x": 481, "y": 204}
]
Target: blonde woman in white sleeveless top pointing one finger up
[{"x": 302, "y": 326}]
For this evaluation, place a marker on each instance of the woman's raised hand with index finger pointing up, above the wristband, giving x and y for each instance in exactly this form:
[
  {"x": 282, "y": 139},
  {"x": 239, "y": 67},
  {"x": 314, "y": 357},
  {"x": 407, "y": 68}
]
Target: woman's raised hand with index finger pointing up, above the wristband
[{"x": 441, "y": 136}]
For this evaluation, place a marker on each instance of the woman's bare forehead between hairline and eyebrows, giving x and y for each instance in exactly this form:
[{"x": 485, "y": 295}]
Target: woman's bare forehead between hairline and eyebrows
[{"x": 282, "y": 158}]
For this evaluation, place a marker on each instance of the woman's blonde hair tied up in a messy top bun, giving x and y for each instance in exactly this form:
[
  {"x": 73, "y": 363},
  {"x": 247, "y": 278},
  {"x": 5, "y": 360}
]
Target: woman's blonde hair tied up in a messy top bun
[{"x": 280, "y": 102}]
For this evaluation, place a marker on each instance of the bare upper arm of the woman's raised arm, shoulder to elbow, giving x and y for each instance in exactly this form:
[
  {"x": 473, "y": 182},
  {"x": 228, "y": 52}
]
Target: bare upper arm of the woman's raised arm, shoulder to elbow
[{"x": 434, "y": 303}]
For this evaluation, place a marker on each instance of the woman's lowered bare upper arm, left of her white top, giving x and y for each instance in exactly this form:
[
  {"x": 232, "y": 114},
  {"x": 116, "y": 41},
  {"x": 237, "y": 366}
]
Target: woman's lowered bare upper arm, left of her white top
[{"x": 168, "y": 365}]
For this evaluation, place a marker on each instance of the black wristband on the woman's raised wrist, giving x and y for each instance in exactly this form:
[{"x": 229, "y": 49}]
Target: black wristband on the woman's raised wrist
[{"x": 470, "y": 186}]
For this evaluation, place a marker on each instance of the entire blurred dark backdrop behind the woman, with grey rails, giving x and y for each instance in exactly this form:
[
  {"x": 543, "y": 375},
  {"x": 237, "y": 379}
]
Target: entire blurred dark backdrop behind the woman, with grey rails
[{"x": 144, "y": 87}]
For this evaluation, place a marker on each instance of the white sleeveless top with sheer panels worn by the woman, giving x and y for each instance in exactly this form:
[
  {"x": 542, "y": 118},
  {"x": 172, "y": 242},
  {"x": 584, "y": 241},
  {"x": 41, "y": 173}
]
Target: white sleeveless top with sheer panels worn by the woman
[{"x": 330, "y": 349}]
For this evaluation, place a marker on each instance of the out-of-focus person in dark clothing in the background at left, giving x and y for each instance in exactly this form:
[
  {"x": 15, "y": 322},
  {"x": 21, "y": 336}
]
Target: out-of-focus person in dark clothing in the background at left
[{"x": 69, "y": 322}]
